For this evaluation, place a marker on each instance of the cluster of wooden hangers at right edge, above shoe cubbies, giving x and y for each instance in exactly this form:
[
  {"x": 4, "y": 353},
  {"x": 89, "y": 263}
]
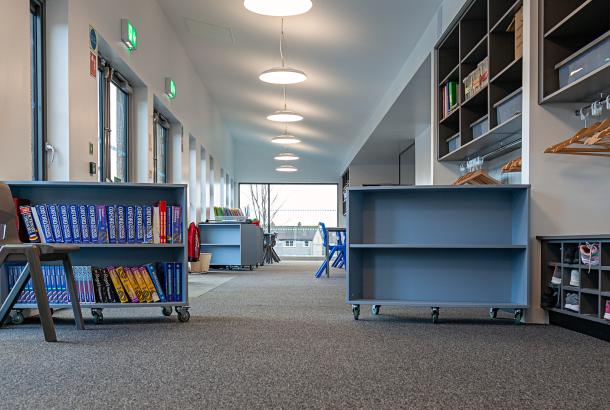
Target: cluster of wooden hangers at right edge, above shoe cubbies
[{"x": 593, "y": 141}]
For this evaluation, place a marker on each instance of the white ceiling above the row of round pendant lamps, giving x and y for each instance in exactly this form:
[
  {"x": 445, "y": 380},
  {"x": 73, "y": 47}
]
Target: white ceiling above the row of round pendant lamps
[{"x": 351, "y": 50}]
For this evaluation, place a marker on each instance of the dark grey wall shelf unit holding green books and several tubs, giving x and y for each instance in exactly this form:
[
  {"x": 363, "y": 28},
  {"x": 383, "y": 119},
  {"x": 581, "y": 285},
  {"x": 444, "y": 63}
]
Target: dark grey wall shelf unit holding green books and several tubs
[{"x": 479, "y": 31}]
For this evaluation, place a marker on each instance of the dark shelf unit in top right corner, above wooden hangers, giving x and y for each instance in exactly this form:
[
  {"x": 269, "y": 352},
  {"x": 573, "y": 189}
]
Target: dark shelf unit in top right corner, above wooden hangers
[{"x": 569, "y": 28}]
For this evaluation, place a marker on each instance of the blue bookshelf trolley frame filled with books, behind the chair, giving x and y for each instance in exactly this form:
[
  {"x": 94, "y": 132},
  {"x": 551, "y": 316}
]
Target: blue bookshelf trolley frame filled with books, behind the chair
[{"x": 113, "y": 254}]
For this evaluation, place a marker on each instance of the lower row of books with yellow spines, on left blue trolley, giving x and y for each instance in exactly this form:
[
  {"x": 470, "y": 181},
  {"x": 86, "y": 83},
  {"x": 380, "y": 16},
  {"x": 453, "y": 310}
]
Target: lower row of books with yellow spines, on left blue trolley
[{"x": 152, "y": 283}]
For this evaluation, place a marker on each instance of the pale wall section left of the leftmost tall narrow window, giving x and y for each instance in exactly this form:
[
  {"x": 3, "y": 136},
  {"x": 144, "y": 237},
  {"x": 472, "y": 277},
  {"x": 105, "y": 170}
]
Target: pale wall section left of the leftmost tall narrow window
[{"x": 15, "y": 83}]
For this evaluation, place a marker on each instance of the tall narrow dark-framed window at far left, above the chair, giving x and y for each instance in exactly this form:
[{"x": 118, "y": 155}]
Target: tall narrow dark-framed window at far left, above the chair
[{"x": 38, "y": 95}]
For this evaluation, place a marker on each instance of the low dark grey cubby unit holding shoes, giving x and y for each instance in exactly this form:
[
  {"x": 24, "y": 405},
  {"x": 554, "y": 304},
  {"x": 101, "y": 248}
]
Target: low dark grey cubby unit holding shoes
[{"x": 594, "y": 287}]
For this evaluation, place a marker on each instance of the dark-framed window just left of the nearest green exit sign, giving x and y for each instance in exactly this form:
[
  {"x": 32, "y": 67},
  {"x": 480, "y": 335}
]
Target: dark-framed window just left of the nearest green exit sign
[{"x": 114, "y": 103}]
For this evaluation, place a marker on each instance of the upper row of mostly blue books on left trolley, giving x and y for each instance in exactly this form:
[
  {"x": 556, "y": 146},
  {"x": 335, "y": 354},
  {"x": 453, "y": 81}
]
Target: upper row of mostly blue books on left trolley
[{"x": 83, "y": 224}]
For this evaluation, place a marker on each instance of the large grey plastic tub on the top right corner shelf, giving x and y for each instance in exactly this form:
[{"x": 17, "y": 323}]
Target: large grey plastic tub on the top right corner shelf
[{"x": 575, "y": 68}]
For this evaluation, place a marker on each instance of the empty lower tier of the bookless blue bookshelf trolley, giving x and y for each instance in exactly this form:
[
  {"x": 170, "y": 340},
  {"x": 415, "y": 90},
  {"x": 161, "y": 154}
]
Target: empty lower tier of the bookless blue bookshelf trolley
[{"x": 495, "y": 278}]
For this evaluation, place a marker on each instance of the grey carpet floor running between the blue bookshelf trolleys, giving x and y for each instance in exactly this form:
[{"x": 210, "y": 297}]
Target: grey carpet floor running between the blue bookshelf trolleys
[{"x": 277, "y": 338}]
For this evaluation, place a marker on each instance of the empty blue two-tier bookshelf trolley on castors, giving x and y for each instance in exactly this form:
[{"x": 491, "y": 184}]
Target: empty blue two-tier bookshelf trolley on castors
[{"x": 438, "y": 246}]
